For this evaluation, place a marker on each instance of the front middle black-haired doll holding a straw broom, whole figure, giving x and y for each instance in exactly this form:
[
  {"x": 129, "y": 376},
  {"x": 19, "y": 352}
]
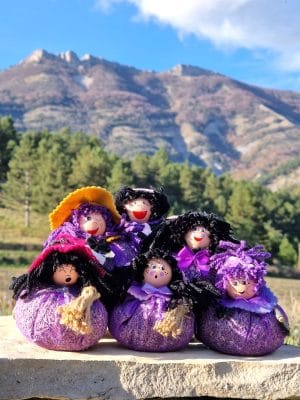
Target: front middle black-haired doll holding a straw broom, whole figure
[{"x": 149, "y": 319}]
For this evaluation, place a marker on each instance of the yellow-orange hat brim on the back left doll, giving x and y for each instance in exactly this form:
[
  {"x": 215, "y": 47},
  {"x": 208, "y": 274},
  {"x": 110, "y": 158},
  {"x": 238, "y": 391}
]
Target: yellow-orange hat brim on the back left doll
[{"x": 89, "y": 194}]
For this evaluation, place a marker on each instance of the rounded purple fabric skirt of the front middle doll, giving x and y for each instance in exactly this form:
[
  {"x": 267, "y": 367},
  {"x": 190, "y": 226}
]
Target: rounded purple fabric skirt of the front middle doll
[{"x": 128, "y": 325}]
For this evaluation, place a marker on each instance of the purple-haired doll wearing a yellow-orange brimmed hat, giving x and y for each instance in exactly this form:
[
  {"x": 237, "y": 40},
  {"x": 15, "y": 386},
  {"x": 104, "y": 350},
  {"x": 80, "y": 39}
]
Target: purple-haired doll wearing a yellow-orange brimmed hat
[{"x": 89, "y": 213}]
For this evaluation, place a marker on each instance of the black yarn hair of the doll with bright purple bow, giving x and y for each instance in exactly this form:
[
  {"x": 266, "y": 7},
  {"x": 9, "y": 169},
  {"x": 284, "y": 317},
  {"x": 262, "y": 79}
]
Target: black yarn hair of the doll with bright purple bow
[{"x": 172, "y": 231}]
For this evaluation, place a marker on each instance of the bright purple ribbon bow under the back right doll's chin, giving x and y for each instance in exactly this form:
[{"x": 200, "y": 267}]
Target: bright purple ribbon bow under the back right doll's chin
[{"x": 186, "y": 257}]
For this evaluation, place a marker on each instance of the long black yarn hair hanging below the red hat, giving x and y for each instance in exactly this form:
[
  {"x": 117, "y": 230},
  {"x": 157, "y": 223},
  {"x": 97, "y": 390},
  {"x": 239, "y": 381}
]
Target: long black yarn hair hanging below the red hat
[{"x": 42, "y": 276}]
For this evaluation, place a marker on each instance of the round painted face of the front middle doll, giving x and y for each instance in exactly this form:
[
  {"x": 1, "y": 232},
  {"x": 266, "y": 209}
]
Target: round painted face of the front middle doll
[{"x": 158, "y": 272}]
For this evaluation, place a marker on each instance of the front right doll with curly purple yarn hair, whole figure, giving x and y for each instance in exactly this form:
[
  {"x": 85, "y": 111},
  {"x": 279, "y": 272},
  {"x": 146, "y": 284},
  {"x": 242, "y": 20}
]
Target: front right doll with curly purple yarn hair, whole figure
[{"x": 248, "y": 320}]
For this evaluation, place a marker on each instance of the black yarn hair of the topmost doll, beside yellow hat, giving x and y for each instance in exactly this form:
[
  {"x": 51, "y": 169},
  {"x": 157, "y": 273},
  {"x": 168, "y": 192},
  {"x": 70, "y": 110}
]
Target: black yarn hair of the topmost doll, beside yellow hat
[{"x": 156, "y": 197}]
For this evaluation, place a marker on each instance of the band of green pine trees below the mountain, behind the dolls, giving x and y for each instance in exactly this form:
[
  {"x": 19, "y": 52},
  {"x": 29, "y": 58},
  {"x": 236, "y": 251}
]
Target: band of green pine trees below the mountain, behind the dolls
[{"x": 38, "y": 169}]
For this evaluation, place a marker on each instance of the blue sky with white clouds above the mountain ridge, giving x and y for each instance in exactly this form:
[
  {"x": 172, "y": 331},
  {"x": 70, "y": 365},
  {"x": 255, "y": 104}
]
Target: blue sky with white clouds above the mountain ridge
[{"x": 255, "y": 41}]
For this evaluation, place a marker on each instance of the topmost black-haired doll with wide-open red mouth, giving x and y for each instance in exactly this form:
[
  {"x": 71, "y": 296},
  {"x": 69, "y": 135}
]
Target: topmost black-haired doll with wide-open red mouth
[{"x": 142, "y": 211}]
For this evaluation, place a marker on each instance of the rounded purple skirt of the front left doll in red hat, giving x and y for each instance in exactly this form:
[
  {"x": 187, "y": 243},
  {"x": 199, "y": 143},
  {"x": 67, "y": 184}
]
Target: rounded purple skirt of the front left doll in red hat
[{"x": 38, "y": 321}]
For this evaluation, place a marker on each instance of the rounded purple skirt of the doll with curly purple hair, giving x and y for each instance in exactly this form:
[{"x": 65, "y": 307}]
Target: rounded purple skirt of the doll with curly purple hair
[{"x": 240, "y": 332}]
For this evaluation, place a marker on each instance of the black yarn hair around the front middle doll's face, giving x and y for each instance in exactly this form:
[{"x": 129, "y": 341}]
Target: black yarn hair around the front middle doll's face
[{"x": 140, "y": 263}]
